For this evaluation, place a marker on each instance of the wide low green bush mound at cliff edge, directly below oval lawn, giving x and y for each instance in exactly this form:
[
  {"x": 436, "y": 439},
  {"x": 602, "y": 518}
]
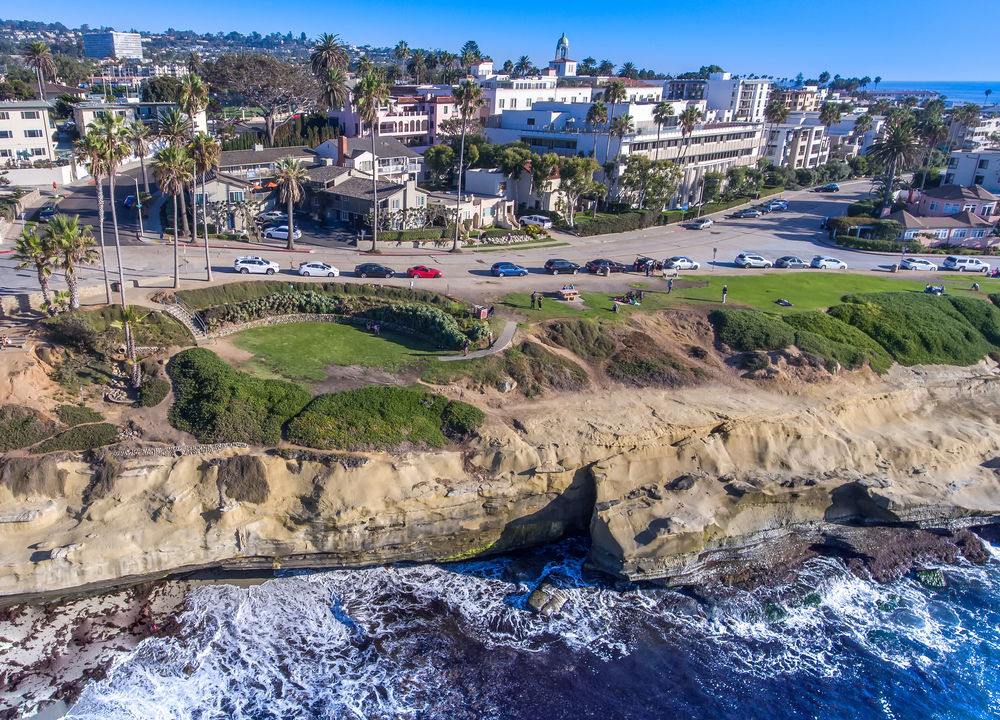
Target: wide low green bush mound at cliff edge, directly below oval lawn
[{"x": 379, "y": 417}]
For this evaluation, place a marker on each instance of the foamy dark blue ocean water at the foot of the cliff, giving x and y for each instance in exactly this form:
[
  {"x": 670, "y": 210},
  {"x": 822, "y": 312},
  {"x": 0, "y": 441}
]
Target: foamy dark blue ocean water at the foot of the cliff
[{"x": 428, "y": 642}]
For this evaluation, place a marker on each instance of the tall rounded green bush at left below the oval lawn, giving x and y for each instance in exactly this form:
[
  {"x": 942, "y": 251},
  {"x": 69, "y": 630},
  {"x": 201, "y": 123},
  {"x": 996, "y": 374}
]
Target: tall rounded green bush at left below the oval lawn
[{"x": 217, "y": 403}]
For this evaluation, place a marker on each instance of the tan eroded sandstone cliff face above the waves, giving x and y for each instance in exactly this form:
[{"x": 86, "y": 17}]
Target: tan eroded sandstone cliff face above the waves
[{"x": 675, "y": 486}]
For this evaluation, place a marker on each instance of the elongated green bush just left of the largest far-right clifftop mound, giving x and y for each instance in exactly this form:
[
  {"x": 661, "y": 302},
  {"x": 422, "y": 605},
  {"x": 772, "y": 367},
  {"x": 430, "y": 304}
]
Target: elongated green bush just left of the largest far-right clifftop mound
[{"x": 847, "y": 345}]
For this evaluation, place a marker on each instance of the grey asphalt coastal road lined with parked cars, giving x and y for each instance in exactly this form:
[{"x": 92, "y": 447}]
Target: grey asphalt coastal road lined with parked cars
[{"x": 792, "y": 232}]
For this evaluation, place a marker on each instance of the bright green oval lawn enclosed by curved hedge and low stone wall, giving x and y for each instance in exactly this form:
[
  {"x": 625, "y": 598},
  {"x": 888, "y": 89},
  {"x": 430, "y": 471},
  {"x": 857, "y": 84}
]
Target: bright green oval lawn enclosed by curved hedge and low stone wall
[{"x": 301, "y": 351}]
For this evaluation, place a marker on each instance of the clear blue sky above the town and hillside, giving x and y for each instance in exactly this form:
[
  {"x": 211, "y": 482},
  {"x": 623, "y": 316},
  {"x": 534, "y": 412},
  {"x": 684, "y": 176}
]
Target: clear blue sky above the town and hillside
[{"x": 897, "y": 40}]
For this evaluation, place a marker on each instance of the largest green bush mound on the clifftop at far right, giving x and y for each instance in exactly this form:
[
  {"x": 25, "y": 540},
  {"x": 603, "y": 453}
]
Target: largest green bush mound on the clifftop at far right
[{"x": 915, "y": 328}]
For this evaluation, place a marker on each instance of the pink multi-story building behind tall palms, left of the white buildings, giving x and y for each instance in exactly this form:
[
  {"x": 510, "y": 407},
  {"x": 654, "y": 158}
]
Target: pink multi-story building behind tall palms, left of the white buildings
[{"x": 413, "y": 115}]
